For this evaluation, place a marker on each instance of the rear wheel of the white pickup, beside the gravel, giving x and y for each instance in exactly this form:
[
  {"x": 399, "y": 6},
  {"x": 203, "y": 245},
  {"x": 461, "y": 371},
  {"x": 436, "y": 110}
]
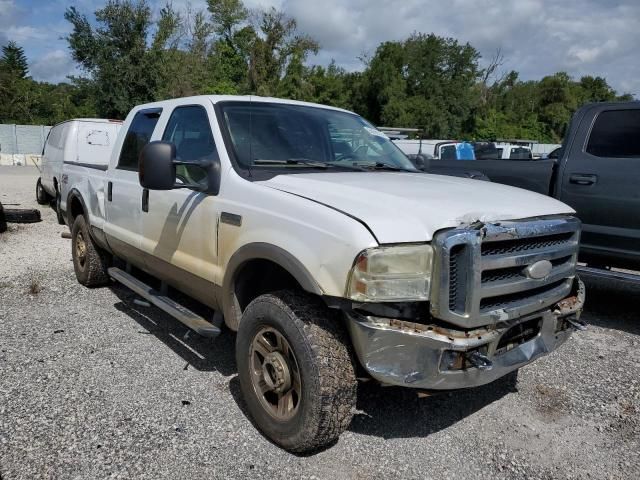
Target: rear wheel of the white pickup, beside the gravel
[{"x": 90, "y": 262}]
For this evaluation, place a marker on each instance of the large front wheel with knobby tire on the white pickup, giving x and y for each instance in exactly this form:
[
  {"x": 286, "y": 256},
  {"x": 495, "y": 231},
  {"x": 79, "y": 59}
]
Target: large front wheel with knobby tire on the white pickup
[{"x": 295, "y": 370}]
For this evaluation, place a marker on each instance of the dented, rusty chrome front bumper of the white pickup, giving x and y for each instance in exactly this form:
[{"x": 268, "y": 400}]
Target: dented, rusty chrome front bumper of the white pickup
[{"x": 397, "y": 352}]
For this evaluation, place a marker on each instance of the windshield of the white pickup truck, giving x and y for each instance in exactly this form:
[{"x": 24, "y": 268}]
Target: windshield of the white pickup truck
[{"x": 293, "y": 137}]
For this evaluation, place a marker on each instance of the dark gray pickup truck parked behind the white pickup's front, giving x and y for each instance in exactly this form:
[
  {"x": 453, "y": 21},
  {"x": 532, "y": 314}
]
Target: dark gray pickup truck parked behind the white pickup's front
[{"x": 597, "y": 172}]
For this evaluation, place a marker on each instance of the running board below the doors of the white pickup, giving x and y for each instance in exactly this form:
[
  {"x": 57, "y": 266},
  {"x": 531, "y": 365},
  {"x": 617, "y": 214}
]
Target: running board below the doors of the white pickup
[{"x": 193, "y": 321}]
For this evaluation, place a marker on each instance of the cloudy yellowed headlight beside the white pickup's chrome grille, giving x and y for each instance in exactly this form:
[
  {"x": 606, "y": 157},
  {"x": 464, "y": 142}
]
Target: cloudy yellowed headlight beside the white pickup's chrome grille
[{"x": 391, "y": 274}]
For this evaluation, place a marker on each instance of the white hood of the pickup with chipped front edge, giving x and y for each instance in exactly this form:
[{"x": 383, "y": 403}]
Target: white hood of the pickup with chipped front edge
[{"x": 410, "y": 207}]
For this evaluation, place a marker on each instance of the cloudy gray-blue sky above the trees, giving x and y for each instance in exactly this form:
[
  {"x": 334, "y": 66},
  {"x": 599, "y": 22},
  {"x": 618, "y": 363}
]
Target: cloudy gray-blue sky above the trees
[{"x": 537, "y": 37}]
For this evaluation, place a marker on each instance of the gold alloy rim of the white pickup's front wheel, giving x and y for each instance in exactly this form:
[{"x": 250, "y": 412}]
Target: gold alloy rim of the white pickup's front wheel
[{"x": 275, "y": 375}]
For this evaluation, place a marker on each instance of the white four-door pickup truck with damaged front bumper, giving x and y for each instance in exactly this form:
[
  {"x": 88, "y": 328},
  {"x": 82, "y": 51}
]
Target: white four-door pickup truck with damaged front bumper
[{"x": 313, "y": 236}]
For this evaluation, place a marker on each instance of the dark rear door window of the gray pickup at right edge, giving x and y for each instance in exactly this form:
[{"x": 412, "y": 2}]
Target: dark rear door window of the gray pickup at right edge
[{"x": 616, "y": 134}]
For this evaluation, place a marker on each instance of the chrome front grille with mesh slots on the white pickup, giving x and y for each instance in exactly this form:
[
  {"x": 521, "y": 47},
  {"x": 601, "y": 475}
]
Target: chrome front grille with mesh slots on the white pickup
[{"x": 480, "y": 271}]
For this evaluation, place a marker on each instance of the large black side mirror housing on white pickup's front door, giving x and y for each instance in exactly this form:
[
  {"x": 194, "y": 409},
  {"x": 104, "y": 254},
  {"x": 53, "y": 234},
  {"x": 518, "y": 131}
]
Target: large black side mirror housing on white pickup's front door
[{"x": 156, "y": 168}]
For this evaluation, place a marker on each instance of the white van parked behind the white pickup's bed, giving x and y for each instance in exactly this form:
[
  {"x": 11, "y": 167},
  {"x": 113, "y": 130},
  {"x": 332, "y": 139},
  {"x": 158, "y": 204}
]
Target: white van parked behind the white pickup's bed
[{"x": 86, "y": 141}]
